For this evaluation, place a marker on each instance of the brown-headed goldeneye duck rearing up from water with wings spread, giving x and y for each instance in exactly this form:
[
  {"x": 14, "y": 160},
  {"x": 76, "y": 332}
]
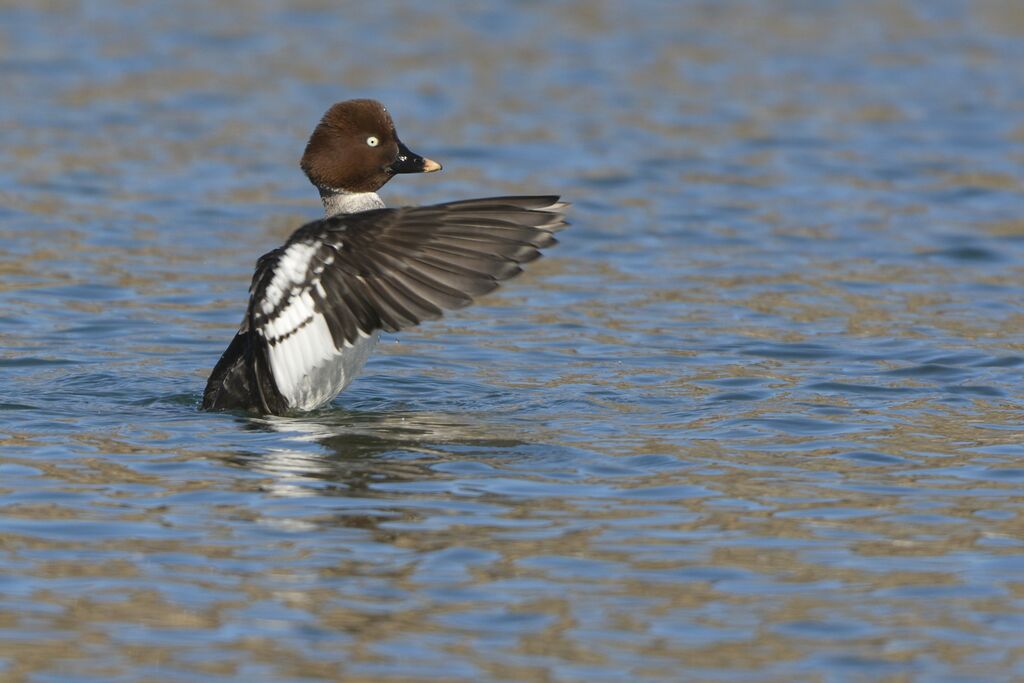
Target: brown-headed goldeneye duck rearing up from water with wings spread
[{"x": 318, "y": 304}]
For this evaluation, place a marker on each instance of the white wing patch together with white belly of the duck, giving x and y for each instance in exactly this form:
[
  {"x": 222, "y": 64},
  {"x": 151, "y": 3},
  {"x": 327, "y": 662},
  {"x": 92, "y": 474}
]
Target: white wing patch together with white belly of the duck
[{"x": 308, "y": 368}]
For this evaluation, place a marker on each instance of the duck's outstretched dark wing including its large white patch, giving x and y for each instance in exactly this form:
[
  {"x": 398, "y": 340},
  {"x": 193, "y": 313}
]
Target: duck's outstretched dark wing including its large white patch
[{"x": 339, "y": 281}]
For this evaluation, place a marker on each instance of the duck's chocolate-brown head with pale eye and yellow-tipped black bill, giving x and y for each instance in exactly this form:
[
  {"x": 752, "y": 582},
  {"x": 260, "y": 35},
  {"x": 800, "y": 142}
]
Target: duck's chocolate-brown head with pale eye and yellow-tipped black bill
[{"x": 355, "y": 149}]
